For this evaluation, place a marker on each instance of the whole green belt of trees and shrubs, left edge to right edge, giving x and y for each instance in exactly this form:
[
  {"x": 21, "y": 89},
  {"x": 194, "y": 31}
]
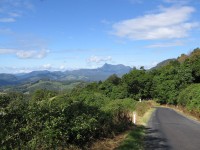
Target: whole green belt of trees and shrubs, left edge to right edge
[{"x": 48, "y": 119}]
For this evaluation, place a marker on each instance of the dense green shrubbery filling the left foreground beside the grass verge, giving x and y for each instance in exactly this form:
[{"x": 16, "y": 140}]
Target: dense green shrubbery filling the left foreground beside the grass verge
[{"x": 49, "y": 121}]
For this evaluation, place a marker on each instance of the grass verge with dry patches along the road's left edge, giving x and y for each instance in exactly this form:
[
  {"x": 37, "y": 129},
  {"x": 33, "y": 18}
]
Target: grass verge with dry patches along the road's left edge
[{"x": 133, "y": 138}]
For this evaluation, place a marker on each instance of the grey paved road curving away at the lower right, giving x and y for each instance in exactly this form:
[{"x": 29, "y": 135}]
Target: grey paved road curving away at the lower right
[{"x": 168, "y": 130}]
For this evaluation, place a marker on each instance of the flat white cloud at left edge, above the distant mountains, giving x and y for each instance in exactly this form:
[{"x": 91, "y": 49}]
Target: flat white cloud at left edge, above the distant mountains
[{"x": 25, "y": 54}]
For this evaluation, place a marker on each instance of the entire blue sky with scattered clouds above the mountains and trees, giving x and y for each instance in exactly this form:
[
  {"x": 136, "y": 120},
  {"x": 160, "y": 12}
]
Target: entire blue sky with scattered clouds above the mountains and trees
[{"x": 59, "y": 35}]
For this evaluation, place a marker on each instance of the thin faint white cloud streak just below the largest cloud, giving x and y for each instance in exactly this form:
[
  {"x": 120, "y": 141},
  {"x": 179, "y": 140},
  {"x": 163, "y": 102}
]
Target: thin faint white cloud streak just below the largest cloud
[{"x": 159, "y": 45}]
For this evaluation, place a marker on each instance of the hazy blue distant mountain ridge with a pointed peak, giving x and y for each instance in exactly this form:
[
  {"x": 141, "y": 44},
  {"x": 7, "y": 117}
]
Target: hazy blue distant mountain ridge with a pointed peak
[{"x": 97, "y": 74}]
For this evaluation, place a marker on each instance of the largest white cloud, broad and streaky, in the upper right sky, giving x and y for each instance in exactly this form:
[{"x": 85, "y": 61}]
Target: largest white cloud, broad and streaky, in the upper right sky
[{"x": 169, "y": 23}]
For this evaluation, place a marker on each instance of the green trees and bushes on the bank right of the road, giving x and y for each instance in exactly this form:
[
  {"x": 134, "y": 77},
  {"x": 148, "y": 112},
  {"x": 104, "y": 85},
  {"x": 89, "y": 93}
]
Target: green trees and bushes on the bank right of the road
[{"x": 174, "y": 81}]
